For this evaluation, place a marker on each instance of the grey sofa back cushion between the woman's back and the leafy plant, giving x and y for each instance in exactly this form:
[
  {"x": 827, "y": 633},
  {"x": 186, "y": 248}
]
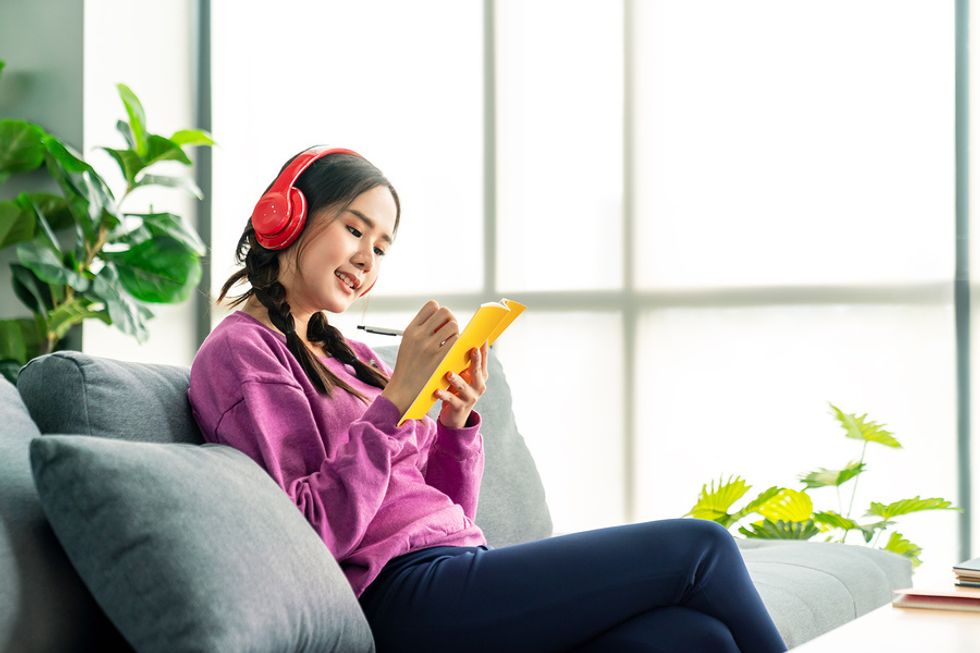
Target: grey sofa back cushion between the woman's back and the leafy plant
[{"x": 109, "y": 398}]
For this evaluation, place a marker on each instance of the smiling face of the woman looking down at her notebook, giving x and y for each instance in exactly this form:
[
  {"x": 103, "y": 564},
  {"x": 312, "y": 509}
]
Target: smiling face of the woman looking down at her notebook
[{"x": 354, "y": 243}]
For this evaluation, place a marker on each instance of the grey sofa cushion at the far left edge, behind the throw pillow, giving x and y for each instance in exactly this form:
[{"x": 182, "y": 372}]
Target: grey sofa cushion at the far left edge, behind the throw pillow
[{"x": 44, "y": 605}]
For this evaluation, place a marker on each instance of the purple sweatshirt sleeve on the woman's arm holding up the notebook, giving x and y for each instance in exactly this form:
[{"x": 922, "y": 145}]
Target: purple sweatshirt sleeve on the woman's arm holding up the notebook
[{"x": 455, "y": 463}]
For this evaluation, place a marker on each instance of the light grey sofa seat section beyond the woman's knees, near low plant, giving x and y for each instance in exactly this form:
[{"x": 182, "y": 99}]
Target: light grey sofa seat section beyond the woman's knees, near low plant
[{"x": 810, "y": 588}]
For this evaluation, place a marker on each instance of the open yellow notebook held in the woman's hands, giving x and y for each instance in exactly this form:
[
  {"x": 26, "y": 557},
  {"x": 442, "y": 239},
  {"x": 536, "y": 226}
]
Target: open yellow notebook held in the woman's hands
[{"x": 486, "y": 325}]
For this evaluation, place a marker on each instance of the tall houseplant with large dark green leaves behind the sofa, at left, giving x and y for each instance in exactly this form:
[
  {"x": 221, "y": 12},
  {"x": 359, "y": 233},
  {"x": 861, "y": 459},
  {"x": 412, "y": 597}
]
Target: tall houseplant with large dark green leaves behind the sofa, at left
[{"x": 117, "y": 261}]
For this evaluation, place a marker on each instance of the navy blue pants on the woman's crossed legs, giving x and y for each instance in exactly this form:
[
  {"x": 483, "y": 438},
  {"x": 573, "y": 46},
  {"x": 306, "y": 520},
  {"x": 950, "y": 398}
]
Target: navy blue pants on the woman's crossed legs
[{"x": 656, "y": 586}]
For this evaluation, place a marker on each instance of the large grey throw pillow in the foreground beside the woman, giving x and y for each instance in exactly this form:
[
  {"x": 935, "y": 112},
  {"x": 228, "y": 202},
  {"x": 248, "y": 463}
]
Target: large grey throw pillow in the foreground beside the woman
[{"x": 194, "y": 547}]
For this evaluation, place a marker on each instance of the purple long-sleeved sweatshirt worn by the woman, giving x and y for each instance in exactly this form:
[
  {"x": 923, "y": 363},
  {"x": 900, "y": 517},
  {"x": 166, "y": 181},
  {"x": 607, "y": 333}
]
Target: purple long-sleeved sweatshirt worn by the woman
[{"x": 372, "y": 491}]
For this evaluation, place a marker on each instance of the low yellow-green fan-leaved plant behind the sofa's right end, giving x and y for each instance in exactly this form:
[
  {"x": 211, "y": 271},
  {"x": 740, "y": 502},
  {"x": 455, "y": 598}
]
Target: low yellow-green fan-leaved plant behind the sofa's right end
[{"x": 788, "y": 513}]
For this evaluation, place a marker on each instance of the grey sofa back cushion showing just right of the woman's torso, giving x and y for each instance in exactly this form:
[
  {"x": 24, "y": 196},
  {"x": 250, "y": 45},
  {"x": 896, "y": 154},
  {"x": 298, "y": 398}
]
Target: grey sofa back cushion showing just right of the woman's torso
[{"x": 512, "y": 508}]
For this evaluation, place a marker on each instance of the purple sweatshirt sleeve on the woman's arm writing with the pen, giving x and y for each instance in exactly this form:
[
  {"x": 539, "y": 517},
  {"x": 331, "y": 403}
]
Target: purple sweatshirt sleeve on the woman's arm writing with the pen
[{"x": 339, "y": 493}]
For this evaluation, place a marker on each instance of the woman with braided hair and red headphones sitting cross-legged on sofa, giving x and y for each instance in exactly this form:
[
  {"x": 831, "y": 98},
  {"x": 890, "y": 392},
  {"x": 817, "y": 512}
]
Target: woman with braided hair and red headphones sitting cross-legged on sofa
[{"x": 396, "y": 504}]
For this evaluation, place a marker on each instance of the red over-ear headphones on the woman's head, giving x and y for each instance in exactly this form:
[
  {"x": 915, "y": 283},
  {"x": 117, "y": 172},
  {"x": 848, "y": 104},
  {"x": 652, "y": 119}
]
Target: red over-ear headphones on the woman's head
[{"x": 280, "y": 214}]
